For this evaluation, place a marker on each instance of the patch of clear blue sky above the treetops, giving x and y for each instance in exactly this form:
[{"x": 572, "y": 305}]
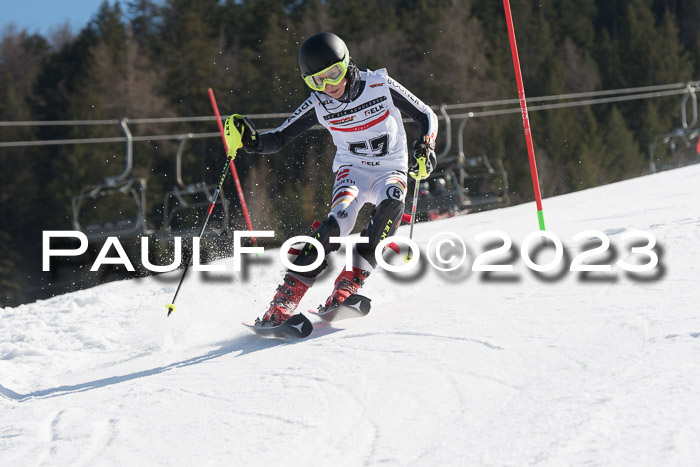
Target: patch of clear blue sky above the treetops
[{"x": 39, "y": 16}]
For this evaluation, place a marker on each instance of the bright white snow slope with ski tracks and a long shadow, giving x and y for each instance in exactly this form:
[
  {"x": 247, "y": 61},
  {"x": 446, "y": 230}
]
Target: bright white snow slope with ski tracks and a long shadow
[{"x": 459, "y": 368}]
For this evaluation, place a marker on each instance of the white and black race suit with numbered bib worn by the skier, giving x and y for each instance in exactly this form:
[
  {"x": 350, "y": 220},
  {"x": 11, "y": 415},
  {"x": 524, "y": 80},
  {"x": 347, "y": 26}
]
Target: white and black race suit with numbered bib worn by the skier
[{"x": 372, "y": 155}]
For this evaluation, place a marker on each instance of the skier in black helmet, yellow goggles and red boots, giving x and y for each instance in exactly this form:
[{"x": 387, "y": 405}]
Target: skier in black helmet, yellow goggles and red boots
[{"x": 362, "y": 111}]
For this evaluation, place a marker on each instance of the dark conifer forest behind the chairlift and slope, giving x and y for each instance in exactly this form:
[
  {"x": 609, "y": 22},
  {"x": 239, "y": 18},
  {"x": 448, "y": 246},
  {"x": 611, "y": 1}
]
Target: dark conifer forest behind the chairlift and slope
[{"x": 140, "y": 59}]
